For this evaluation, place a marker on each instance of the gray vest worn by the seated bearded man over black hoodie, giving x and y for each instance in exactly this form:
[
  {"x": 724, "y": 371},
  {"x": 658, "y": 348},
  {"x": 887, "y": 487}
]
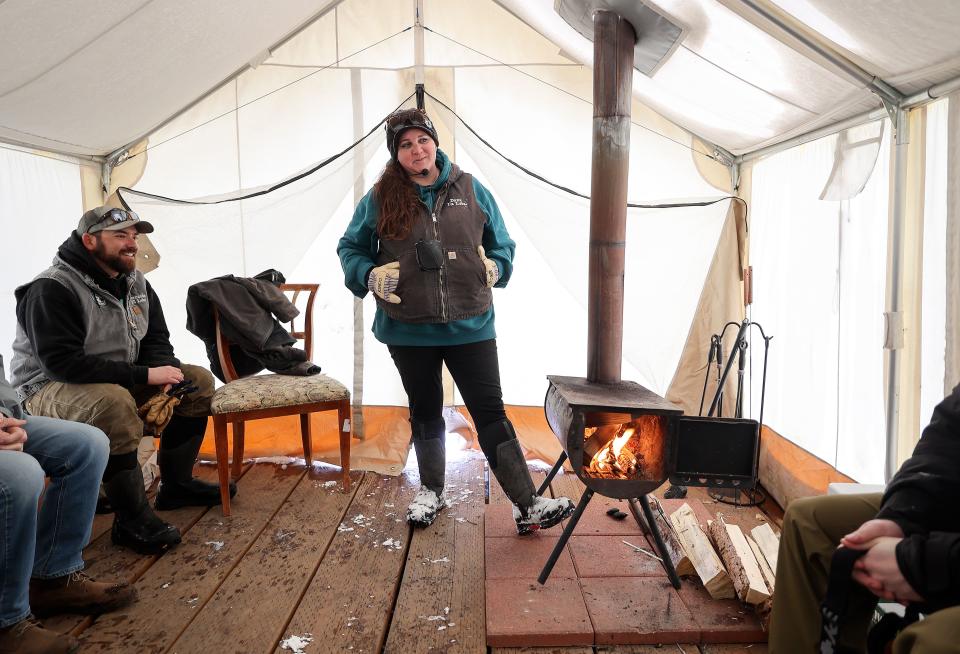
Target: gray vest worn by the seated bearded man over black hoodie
[{"x": 113, "y": 328}]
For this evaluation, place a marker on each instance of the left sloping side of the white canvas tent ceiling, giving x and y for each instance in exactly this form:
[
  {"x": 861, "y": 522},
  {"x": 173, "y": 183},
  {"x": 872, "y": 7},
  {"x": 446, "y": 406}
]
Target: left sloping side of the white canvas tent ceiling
[{"x": 89, "y": 77}]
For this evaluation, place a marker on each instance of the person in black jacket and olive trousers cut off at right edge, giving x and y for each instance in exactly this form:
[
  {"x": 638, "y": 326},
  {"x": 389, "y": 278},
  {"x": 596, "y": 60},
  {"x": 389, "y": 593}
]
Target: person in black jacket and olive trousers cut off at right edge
[{"x": 911, "y": 535}]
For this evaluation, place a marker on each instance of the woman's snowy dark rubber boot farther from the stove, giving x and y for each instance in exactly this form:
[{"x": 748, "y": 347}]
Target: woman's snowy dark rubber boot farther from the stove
[{"x": 429, "y": 441}]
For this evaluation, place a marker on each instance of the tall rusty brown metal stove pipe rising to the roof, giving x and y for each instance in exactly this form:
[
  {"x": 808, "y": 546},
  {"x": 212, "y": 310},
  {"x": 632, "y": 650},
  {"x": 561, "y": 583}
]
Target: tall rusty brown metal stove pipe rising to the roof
[{"x": 614, "y": 41}]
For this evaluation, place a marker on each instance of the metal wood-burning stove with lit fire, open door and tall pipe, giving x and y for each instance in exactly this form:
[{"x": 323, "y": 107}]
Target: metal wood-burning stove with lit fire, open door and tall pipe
[{"x": 623, "y": 440}]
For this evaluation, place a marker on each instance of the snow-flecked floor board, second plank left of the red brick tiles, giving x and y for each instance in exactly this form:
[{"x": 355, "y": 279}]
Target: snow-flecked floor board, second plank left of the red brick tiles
[{"x": 348, "y": 604}]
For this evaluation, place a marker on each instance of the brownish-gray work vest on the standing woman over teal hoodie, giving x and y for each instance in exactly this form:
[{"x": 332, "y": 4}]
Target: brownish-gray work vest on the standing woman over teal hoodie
[{"x": 458, "y": 290}]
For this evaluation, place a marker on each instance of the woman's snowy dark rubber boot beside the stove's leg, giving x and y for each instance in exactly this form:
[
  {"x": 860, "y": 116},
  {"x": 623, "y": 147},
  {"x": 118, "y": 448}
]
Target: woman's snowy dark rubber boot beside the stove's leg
[{"x": 530, "y": 511}]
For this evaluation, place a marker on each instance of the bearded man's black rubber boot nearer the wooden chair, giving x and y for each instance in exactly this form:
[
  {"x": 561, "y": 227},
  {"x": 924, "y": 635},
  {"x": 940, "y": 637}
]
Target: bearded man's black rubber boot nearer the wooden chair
[{"x": 178, "y": 486}]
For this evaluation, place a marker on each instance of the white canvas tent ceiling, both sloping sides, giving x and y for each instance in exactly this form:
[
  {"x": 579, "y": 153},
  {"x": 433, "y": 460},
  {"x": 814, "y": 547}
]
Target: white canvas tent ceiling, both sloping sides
[{"x": 88, "y": 78}]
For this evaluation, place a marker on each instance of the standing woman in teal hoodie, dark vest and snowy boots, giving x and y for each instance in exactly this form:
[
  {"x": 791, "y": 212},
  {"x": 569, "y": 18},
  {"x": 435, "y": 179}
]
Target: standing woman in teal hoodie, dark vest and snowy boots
[{"x": 430, "y": 242}]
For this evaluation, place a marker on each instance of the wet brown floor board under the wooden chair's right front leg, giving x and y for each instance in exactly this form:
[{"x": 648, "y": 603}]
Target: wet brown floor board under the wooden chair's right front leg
[{"x": 270, "y": 580}]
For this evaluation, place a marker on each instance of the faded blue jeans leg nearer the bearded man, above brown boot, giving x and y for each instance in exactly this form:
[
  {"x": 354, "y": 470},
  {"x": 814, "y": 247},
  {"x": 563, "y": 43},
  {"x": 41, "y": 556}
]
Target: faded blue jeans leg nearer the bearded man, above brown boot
[{"x": 74, "y": 456}]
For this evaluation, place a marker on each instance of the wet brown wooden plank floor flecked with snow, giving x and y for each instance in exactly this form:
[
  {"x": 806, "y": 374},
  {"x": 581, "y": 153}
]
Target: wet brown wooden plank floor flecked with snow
[{"x": 302, "y": 564}]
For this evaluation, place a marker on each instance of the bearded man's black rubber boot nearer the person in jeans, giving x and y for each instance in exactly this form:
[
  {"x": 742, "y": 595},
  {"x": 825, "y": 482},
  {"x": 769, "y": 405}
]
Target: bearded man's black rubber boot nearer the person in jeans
[{"x": 135, "y": 525}]
